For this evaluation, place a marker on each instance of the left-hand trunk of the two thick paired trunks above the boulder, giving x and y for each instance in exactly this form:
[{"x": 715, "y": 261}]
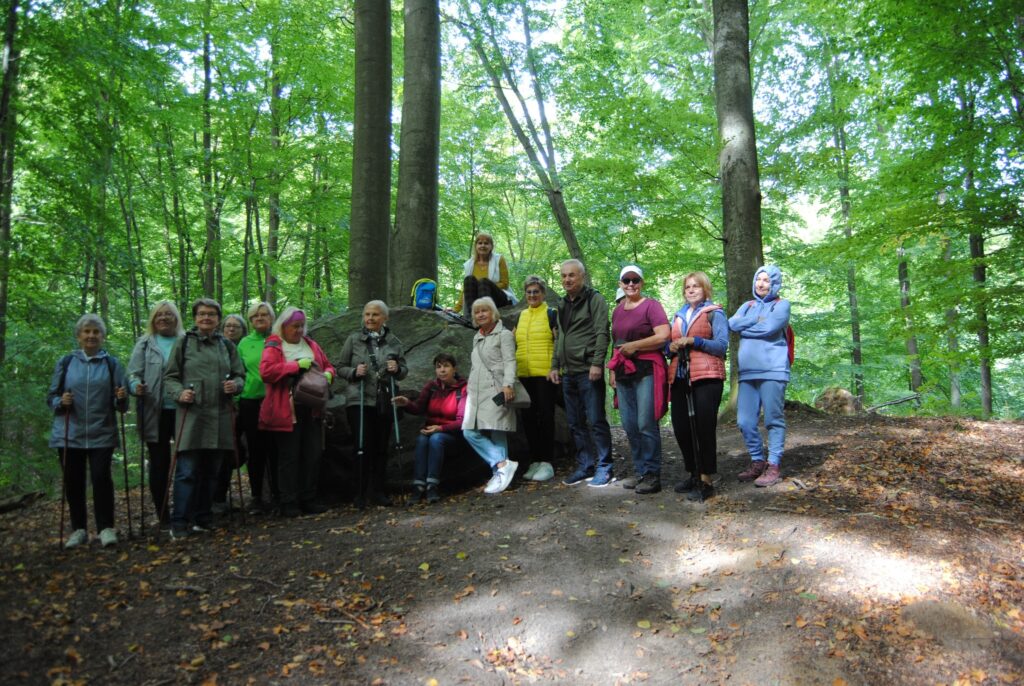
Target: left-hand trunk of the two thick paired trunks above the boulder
[{"x": 369, "y": 250}]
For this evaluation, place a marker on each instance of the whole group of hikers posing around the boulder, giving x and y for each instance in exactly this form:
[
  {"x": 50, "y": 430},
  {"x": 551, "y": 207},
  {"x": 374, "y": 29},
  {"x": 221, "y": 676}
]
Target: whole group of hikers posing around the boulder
[{"x": 204, "y": 393}]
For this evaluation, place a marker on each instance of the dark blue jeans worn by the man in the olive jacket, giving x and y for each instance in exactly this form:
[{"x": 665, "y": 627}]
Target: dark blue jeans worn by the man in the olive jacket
[{"x": 585, "y": 413}]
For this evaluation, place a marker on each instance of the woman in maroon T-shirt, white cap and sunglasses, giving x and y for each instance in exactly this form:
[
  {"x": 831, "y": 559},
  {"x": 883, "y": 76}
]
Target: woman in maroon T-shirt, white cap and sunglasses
[{"x": 641, "y": 329}]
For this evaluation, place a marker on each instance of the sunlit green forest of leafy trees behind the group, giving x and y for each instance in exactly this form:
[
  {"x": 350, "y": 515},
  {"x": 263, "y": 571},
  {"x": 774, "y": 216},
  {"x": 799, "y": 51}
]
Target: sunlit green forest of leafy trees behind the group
[{"x": 163, "y": 150}]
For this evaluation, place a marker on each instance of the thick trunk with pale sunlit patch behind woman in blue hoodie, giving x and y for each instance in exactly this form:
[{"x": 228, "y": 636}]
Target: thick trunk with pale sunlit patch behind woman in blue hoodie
[{"x": 738, "y": 159}]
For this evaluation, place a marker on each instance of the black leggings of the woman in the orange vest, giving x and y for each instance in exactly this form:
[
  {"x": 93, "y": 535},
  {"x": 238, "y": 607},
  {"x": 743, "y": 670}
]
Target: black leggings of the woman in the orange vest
[{"x": 707, "y": 396}]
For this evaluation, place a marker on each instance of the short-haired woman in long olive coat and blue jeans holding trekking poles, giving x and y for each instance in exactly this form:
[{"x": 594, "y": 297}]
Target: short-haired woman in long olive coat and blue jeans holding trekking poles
[{"x": 204, "y": 373}]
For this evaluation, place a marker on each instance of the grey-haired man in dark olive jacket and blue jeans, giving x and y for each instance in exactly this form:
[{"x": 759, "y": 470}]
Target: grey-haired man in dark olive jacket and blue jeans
[{"x": 581, "y": 350}]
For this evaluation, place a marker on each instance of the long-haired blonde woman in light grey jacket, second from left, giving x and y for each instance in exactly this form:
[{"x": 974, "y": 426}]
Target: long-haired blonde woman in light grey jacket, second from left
[{"x": 156, "y": 411}]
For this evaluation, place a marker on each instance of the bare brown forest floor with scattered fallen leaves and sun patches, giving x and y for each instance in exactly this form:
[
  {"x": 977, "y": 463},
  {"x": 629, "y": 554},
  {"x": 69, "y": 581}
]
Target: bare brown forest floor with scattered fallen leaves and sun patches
[{"x": 893, "y": 553}]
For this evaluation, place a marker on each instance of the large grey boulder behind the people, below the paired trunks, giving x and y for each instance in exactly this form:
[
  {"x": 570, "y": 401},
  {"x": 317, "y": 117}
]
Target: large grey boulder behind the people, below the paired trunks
[{"x": 423, "y": 335}]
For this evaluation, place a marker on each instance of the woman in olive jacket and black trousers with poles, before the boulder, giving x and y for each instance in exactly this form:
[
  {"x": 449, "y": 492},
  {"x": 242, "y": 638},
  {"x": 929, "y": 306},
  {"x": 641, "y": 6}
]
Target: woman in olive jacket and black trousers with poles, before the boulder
[{"x": 371, "y": 360}]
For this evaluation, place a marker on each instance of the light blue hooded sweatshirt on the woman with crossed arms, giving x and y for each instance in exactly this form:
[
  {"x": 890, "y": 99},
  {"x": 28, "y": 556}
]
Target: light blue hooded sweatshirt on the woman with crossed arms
[{"x": 761, "y": 325}]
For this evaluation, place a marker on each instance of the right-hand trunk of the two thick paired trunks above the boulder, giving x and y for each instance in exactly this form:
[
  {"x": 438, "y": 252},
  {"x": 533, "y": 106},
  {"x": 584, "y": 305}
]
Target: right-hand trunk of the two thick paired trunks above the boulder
[{"x": 416, "y": 207}]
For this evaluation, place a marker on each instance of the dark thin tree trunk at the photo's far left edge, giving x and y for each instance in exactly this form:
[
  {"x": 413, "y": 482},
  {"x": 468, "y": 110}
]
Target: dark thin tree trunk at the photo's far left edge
[{"x": 9, "y": 128}]
